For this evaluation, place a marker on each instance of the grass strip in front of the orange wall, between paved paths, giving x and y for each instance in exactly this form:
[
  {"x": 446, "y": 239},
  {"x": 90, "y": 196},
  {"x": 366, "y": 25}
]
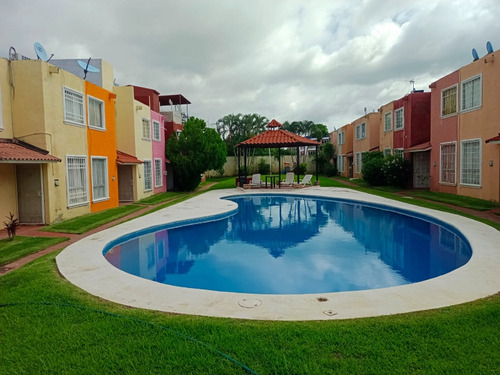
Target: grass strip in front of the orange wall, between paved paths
[{"x": 83, "y": 224}]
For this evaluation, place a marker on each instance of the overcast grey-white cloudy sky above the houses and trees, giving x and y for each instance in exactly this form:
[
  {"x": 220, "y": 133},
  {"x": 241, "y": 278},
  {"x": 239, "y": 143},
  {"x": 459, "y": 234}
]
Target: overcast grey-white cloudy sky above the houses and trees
[{"x": 322, "y": 60}]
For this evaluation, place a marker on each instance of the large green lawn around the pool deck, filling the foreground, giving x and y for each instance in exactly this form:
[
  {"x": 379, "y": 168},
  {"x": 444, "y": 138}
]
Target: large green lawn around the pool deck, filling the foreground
[{"x": 49, "y": 326}]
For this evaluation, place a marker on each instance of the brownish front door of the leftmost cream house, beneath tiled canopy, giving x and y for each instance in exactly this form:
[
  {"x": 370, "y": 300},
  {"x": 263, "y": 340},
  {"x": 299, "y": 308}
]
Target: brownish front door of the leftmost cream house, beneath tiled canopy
[{"x": 30, "y": 194}]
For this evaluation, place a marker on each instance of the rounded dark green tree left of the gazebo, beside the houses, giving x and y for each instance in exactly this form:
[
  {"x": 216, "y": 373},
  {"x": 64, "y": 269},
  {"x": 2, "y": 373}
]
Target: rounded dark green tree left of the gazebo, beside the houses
[{"x": 197, "y": 150}]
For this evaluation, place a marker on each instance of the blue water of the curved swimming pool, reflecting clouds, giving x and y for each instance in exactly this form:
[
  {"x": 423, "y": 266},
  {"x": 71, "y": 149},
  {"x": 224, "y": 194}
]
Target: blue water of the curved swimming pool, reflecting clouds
[{"x": 295, "y": 245}]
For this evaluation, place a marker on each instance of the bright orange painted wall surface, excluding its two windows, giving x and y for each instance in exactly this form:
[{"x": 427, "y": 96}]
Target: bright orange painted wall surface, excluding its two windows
[{"x": 103, "y": 143}]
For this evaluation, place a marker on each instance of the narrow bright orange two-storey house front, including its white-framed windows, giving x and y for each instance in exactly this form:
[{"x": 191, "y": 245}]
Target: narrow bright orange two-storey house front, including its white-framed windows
[{"x": 101, "y": 140}]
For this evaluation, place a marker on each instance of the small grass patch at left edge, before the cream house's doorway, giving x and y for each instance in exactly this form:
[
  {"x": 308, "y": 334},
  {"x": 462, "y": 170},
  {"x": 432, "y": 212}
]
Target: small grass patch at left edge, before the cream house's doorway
[{"x": 21, "y": 246}]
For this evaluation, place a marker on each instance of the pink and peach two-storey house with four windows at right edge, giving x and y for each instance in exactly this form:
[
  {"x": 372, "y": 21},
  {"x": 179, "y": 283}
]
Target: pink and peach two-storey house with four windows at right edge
[{"x": 465, "y": 155}]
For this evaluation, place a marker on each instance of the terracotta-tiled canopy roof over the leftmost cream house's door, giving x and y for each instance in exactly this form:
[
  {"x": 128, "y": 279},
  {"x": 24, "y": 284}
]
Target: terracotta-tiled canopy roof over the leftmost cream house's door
[{"x": 17, "y": 151}]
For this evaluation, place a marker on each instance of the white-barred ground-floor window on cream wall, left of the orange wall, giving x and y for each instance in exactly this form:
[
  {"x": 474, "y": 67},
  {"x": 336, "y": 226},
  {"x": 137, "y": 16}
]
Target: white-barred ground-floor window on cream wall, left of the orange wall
[{"x": 76, "y": 180}]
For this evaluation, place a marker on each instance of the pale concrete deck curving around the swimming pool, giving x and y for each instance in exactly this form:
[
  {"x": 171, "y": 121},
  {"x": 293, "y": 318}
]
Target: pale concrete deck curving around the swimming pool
[{"x": 83, "y": 264}]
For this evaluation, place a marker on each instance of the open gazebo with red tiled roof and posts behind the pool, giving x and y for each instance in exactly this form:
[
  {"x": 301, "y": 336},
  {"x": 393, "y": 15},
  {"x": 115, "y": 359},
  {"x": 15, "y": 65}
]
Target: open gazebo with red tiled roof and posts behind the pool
[{"x": 274, "y": 137}]
